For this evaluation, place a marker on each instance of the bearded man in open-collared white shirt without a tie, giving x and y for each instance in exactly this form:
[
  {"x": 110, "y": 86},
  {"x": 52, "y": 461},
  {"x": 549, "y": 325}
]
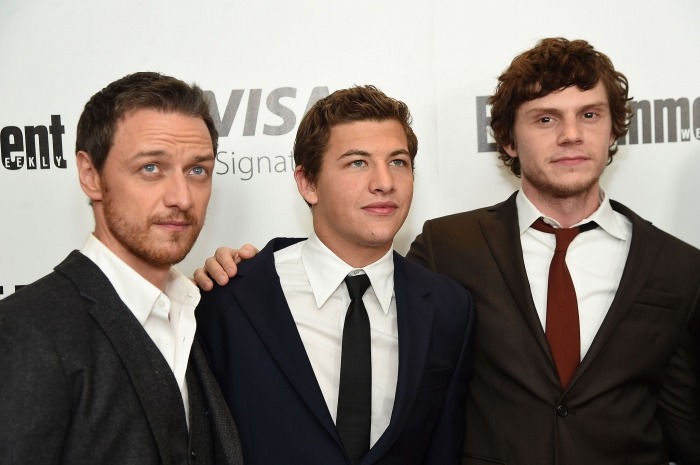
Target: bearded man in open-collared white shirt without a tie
[{"x": 98, "y": 359}]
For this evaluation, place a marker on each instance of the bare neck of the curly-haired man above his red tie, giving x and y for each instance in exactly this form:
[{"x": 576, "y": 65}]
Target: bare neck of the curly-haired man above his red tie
[{"x": 566, "y": 210}]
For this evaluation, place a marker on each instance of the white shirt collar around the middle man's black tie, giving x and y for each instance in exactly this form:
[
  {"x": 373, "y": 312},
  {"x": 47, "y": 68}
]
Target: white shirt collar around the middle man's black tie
[{"x": 326, "y": 272}]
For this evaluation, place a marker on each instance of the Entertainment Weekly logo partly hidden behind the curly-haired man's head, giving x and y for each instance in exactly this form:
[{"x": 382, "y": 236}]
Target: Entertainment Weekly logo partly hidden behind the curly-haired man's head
[{"x": 666, "y": 114}]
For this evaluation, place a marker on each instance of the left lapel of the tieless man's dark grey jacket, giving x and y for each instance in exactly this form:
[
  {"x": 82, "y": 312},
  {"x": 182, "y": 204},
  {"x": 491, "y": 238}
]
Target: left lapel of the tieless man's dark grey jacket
[{"x": 148, "y": 370}]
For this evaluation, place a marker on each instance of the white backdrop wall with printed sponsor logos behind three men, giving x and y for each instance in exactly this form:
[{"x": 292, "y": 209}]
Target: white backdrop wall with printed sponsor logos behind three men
[{"x": 273, "y": 56}]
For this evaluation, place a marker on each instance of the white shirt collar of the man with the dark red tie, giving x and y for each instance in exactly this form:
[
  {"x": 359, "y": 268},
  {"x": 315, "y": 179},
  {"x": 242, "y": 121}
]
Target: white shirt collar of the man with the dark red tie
[{"x": 604, "y": 216}]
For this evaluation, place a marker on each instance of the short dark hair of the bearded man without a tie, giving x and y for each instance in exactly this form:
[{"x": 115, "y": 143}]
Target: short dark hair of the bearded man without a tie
[{"x": 143, "y": 90}]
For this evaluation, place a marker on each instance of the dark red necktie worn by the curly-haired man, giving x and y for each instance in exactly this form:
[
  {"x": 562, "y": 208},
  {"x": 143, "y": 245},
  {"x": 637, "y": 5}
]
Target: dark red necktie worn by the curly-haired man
[{"x": 562, "y": 326}]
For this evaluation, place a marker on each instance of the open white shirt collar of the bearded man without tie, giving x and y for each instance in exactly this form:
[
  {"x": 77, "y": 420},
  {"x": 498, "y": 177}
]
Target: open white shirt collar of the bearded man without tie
[{"x": 137, "y": 293}]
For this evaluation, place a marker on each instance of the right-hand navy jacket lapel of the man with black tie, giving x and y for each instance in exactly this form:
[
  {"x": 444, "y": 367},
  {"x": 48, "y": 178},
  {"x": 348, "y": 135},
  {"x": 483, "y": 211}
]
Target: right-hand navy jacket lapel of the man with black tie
[{"x": 415, "y": 323}]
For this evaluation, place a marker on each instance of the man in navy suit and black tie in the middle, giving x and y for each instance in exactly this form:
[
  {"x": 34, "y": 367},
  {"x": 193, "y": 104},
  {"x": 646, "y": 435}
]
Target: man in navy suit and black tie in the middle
[{"x": 314, "y": 373}]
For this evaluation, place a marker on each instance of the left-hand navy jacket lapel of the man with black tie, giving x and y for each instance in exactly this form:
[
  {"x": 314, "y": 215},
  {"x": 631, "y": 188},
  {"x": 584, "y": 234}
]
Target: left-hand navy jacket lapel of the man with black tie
[{"x": 261, "y": 298}]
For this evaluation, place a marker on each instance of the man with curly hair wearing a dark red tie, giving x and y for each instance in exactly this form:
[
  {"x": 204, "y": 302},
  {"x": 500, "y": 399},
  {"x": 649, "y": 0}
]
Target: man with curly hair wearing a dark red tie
[{"x": 609, "y": 374}]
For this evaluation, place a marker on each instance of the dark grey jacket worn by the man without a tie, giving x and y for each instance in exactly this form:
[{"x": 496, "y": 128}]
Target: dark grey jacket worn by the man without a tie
[{"x": 82, "y": 383}]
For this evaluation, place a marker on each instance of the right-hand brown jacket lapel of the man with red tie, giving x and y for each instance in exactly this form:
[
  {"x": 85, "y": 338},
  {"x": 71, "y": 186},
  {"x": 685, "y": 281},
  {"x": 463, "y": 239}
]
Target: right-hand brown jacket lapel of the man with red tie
[{"x": 645, "y": 247}]
